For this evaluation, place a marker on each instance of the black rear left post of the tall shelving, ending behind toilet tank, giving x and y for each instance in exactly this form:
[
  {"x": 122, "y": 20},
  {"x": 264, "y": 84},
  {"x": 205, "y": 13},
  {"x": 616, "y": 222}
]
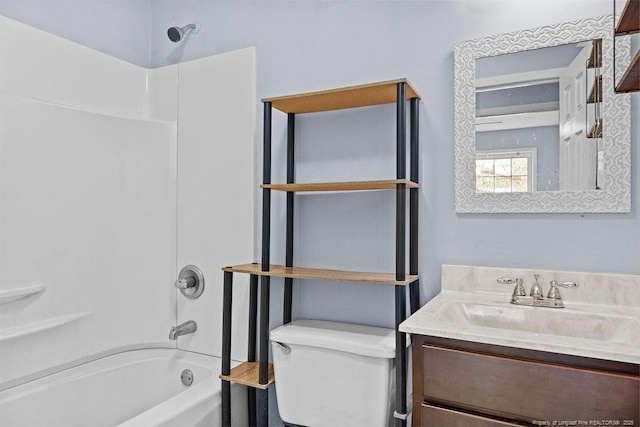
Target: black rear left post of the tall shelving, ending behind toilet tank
[{"x": 288, "y": 282}]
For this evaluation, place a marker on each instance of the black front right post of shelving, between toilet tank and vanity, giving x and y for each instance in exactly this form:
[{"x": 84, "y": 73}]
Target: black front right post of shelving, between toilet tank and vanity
[{"x": 400, "y": 292}]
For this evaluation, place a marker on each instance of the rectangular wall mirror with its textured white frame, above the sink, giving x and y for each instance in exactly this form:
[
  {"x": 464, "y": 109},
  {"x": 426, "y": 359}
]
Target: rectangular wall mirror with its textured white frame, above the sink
[{"x": 538, "y": 127}]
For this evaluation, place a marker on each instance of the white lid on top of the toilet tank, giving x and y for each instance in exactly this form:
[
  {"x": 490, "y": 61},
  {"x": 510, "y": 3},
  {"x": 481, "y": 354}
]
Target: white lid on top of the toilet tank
[{"x": 358, "y": 339}]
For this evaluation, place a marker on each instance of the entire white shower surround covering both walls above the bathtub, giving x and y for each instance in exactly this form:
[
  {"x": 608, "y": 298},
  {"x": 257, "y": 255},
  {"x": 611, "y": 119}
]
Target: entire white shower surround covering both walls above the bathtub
[{"x": 113, "y": 177}]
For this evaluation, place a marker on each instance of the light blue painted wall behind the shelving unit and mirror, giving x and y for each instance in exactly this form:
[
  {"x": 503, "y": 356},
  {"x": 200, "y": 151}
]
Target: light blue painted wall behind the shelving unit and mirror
[{"x": 313, "y": 45}]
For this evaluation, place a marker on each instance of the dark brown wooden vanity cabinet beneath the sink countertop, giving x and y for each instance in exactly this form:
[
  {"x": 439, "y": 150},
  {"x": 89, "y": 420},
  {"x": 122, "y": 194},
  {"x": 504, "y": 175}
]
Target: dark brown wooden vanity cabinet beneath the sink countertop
[{"x": 462, "y": 383}]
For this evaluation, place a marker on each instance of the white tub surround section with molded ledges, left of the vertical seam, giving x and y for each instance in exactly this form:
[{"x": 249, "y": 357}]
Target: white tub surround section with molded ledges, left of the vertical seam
[{"x": 85, "y": 206}]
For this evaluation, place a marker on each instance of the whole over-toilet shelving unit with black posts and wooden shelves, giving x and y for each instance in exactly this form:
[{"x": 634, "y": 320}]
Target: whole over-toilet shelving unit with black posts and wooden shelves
[{"x": 257, "y": 372}]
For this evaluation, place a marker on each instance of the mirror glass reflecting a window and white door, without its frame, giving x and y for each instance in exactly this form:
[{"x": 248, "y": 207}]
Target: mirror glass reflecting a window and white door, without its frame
[{"x": 529, "y": 137}]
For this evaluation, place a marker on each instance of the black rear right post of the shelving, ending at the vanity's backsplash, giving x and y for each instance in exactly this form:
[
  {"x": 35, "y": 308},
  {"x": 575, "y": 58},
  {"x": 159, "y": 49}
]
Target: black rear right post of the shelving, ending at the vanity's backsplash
[{"x": 414, "y": 195}]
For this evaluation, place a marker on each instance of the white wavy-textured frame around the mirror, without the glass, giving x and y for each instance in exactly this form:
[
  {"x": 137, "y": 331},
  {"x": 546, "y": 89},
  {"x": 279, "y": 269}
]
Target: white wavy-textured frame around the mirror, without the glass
[{"x": 615, "y": 192}]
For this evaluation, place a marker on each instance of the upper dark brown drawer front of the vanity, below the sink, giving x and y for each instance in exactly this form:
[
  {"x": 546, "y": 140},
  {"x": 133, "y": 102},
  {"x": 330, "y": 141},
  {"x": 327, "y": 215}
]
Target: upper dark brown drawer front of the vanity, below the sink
[{"x": 526, "y": 390}]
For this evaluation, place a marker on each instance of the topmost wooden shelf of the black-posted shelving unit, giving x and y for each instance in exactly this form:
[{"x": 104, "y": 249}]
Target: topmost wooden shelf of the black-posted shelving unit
[{"x": 338, "y": 99}]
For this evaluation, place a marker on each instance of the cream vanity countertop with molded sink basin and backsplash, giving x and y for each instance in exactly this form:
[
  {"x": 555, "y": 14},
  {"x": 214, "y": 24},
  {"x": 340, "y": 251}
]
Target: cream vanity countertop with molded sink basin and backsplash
[{"x": 601, "y": 317}]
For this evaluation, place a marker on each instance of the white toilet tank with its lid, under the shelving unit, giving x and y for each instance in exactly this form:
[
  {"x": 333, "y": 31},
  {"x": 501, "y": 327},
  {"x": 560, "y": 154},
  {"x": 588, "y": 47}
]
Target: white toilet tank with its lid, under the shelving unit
[{"x": 334, "y": 374}]
